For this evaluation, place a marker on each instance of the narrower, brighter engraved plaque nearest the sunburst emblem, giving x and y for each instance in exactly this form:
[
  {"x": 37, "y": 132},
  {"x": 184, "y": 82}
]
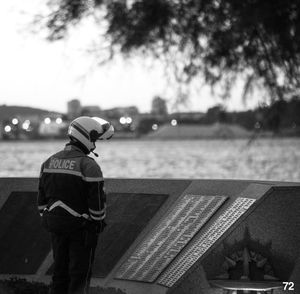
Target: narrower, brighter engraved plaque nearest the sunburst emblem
[{"x": 203, "y": 241}]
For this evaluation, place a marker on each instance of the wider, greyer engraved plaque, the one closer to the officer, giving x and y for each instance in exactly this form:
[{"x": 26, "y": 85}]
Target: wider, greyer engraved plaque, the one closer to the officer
[{"x": 184, "y": 219}]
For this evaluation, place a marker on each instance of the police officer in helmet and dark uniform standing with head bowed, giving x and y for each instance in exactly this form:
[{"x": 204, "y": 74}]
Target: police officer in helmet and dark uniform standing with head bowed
[{"x": 72, "y": 204}]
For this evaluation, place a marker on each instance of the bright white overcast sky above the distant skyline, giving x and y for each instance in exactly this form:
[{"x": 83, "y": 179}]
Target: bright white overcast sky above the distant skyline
[{"x": 36, "y": 73}]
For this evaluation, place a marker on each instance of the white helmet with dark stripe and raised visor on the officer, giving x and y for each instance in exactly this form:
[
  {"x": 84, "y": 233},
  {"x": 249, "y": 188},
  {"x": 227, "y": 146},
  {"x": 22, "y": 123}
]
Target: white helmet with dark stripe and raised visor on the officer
[{"x": 87, "y": 130}]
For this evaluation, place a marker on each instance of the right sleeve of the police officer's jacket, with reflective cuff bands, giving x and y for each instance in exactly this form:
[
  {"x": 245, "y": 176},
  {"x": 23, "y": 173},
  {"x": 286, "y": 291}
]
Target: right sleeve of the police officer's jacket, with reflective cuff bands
[{"x": 95, "y": 190}]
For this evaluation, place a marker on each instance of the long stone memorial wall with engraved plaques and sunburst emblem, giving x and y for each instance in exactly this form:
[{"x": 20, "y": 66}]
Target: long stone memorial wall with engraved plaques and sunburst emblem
[{"x": 169, "y": 236}]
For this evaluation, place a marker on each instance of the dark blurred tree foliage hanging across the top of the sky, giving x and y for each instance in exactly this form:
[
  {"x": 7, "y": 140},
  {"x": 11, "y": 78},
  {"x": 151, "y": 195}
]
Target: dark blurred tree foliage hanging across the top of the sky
[{"x": 217, "y": 40}]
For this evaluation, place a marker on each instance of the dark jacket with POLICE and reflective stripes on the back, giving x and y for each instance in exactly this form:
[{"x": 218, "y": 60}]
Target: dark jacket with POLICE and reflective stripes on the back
[{"x": 73, "y": 181}]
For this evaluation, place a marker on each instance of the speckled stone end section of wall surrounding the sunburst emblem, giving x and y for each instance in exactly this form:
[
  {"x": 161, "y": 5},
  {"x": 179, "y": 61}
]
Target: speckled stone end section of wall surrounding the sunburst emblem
[{"x": 271, "y": 229}]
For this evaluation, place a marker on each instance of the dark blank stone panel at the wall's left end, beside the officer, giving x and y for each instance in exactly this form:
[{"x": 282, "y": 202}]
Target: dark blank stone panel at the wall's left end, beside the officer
[{"x": 23, "y": 242}]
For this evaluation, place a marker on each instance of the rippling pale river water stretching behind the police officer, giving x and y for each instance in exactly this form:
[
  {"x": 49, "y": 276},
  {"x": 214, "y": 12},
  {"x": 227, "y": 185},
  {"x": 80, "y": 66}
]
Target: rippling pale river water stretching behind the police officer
[{"x": 264, "y": 159}]
